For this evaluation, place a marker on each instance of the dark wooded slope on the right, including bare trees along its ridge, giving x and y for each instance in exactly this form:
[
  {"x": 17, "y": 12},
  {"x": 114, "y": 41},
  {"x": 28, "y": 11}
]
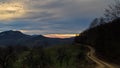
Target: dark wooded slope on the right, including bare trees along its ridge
[{"x": 103, "y": 34}]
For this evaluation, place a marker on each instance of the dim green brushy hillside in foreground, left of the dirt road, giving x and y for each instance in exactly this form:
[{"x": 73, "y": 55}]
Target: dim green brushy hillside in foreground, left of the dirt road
[{"x": 64, "y": 56}]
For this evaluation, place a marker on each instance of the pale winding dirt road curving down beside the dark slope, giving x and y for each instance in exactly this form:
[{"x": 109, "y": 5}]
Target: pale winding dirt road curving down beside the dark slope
[{"x": 100, "y": 63}]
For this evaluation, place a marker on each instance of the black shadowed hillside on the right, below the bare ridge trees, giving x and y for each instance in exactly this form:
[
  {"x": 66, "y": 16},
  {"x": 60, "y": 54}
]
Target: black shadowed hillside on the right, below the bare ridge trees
[{"x": 105, "y": 39}]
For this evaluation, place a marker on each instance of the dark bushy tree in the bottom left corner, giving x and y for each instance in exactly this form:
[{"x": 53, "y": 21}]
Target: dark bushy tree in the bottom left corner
[{"x": 7, "y": 56}]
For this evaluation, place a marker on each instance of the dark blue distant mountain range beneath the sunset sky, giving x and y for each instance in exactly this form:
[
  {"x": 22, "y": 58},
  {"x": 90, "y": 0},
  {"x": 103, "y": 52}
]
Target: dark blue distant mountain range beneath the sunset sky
[{"x": 17, "y": 38}]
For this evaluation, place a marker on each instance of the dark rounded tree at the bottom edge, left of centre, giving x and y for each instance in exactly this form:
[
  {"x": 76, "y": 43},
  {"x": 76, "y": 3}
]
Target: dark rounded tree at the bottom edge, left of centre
[{"x": 37, "y": 58}]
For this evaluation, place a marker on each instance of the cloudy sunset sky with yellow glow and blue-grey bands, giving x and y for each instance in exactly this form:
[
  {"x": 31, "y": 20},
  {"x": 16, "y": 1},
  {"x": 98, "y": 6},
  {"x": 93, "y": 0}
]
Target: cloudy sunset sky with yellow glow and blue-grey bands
[{"x": 50, "y": 16}]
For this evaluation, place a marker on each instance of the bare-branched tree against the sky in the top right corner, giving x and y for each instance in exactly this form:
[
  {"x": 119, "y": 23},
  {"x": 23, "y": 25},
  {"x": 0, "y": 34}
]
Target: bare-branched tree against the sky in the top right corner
[{"x": 113, "y": 11}]
